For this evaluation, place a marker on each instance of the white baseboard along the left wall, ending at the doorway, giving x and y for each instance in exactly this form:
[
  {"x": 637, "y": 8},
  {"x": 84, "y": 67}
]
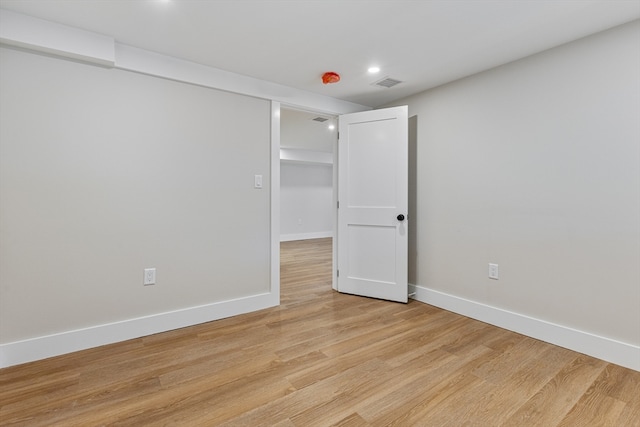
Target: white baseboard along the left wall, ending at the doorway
[{"x": 19, "y": 352}]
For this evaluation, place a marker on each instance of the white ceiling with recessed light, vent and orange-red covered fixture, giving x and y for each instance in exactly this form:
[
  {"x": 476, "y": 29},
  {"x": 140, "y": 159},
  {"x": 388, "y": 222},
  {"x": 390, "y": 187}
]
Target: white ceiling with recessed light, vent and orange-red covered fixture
[{"x": 422, "y": 43}]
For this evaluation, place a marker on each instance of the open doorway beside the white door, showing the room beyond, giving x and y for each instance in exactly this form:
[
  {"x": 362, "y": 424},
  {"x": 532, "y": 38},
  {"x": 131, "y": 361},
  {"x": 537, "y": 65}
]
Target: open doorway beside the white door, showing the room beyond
[{"x": 308, "y": 142}]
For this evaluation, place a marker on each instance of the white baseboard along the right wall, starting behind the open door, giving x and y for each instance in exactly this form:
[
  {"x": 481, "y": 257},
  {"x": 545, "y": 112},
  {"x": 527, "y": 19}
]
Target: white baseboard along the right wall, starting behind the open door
[{"x": 607, "y": 349}]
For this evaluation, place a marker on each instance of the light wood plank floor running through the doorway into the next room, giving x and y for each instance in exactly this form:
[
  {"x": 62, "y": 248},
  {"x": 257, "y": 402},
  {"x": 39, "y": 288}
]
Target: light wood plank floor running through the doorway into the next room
[{"x": 323, "y": 359}]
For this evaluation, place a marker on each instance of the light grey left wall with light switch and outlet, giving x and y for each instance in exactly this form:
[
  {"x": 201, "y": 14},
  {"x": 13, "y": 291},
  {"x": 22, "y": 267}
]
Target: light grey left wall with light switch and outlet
[{"x": 105, "y": 172}]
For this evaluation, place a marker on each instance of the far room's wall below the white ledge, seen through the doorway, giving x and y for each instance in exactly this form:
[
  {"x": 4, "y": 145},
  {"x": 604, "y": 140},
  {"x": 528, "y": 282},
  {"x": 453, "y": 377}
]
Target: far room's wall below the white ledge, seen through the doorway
[{"x": 305, "y": 201}]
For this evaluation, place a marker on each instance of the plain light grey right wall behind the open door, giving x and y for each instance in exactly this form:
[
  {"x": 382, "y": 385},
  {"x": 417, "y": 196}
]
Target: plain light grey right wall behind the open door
[{"x": 535, "y": 166}]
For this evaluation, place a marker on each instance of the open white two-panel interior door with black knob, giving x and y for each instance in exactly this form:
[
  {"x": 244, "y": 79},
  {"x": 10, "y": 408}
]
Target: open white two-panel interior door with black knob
[{"x": 372, "y": 204}]
